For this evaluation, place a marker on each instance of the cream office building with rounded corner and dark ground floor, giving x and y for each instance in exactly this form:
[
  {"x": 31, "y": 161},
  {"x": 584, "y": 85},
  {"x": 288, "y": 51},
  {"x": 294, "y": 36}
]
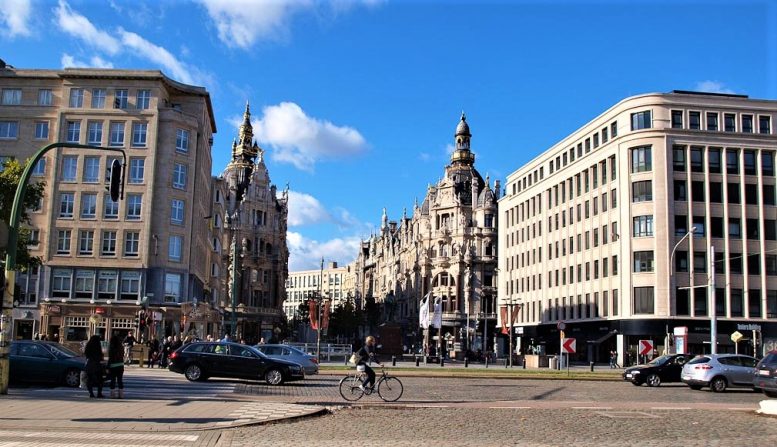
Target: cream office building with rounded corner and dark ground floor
[{"x": 611, "y": 230}]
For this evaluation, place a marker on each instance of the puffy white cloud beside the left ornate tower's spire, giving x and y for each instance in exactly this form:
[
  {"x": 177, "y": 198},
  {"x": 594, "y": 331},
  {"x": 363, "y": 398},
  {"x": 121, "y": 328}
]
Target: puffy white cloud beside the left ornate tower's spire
[{"x": 301, "y": 140}]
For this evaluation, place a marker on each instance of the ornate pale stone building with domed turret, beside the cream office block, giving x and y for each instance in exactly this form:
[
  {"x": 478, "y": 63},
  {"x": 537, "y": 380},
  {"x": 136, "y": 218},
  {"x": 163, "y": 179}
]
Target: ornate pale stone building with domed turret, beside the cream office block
[{"x": 447, "y": 247}]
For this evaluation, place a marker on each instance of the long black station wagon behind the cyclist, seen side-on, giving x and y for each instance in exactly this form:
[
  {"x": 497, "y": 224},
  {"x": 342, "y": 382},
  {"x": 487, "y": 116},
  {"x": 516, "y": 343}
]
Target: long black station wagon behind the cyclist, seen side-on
[{"x": 198, "y": 361}]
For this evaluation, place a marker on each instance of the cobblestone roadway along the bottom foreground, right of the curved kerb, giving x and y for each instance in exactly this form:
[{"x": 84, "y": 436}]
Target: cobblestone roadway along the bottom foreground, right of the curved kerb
[{"x": 498, "y": 427}]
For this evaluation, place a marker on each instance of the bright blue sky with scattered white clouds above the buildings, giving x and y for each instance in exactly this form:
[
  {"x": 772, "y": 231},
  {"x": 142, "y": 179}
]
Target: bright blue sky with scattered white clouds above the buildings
[{"x": 356, "y": 102}]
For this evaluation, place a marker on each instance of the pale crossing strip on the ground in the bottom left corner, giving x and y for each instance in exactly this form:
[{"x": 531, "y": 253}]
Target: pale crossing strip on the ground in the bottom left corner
[{"x": 21, "y": 438}]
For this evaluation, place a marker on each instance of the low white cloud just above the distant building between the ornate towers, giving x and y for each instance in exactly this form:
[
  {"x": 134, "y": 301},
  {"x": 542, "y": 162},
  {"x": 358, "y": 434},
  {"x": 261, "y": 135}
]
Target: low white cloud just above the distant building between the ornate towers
[{"x": 306, "y": 254}]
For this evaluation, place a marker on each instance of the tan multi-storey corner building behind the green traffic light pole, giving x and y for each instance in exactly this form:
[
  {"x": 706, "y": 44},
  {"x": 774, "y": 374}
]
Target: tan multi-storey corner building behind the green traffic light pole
[{"x": 104, "y": 261}]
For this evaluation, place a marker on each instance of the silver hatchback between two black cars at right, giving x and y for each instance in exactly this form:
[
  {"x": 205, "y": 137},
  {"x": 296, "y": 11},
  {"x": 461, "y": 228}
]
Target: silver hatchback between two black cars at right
[{"x": 719, "y": 371}]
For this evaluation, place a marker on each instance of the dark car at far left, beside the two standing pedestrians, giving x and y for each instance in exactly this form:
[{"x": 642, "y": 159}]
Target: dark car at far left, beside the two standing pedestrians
[{"x": 45, "y": 362}]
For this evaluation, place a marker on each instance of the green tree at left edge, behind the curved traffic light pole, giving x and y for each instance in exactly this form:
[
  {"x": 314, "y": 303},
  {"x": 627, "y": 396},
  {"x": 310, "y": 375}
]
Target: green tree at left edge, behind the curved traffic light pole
[{"x": 10, "y": 174}]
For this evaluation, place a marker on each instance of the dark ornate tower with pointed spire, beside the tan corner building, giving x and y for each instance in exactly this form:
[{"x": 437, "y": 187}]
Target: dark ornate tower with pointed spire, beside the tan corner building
[{"x": 251, "y": 234}]
